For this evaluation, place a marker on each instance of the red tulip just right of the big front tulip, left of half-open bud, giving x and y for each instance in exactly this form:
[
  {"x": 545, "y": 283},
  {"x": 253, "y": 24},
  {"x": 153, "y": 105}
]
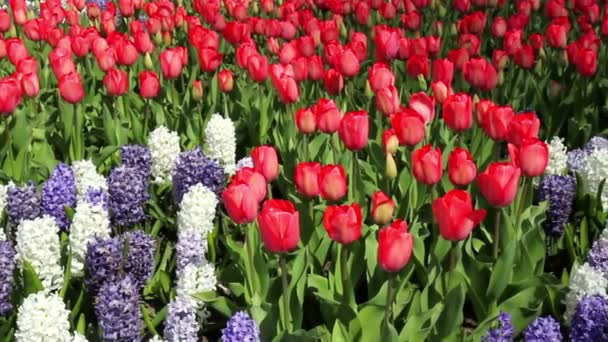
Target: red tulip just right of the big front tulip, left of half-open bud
[{"x": 343, "y": 222}]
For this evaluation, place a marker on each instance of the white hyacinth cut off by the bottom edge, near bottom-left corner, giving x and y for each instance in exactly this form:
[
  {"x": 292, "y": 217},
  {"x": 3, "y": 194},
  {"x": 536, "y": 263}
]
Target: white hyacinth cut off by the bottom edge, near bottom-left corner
[{"x": 43, "y": 318}]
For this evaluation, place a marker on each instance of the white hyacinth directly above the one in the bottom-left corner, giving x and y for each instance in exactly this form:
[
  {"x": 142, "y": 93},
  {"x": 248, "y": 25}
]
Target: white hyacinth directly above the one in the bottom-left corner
[{"x": 38, "y": 244}]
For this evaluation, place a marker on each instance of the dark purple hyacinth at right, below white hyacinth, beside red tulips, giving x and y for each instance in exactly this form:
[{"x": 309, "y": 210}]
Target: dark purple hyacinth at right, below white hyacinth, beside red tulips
[{"x": 559, "y": 191}]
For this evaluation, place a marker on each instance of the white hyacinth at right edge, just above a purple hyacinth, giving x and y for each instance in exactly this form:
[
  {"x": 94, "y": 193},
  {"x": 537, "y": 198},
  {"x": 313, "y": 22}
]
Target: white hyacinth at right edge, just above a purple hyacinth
[{"x": 584, "y": 281}]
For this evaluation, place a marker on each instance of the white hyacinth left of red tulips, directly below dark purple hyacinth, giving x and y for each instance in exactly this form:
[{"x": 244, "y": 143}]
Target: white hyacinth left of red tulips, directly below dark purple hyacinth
[{"x": 197, "y": 210}]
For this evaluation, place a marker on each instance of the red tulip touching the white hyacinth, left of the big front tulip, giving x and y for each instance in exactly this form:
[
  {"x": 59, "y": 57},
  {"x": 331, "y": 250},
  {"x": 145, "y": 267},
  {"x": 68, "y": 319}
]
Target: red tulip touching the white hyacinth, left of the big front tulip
[{"x": 240, "y": 203}]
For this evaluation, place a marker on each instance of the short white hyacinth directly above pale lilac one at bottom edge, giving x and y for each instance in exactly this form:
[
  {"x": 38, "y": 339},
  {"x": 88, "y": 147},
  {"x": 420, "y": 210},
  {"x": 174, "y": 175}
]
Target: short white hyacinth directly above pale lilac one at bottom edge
[{"x": 195, "y": 279}]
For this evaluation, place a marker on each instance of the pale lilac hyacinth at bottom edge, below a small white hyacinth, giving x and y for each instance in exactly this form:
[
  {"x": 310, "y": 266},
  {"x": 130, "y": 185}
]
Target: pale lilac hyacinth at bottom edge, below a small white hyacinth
[{"x": 181, "y": 324}]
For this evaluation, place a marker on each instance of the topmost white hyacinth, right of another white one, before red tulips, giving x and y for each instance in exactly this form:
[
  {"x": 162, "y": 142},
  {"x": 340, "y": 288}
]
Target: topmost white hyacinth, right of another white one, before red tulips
[{"x": 220, "y": 142}]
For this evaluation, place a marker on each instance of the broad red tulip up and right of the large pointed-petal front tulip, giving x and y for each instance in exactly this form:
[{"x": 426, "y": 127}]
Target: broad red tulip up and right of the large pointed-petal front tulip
[{"x": 499, "y": 182}]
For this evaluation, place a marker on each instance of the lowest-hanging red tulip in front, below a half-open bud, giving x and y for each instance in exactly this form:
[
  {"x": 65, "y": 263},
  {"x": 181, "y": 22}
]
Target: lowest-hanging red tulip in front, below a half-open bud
[{"x": 395, "y": 246}]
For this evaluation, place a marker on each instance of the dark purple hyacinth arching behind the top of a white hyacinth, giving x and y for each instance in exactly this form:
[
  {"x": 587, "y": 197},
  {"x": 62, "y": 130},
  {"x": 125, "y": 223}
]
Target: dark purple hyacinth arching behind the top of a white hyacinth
[{"x": 193, "y": 167}]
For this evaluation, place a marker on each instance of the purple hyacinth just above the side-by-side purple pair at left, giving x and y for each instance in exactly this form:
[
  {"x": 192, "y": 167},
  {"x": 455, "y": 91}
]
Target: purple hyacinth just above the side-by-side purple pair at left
[{"x": 128, "y": 191}]
